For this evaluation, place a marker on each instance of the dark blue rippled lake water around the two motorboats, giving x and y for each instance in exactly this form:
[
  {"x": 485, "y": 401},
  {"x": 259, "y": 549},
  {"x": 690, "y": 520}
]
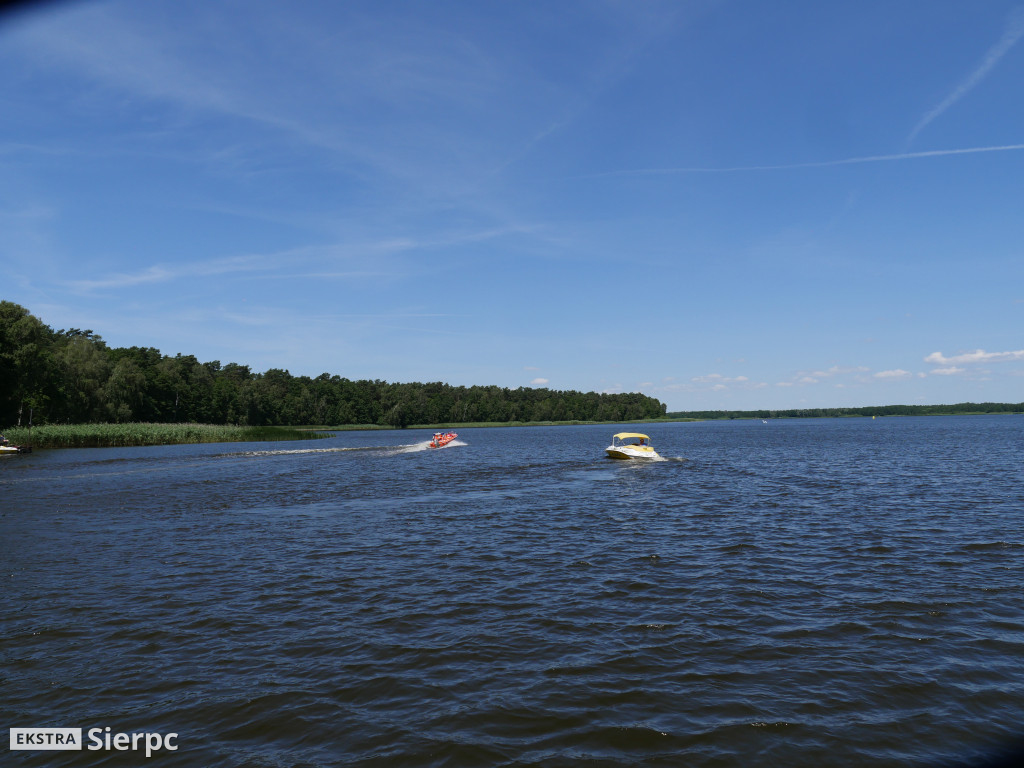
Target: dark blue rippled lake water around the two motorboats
[{"x": 798, "y": 593}]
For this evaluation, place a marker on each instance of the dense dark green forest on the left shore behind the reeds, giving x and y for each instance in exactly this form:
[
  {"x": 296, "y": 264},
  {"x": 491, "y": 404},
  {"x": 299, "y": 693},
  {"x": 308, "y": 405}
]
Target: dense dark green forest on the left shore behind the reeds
[{"x": 74, "y": 377}]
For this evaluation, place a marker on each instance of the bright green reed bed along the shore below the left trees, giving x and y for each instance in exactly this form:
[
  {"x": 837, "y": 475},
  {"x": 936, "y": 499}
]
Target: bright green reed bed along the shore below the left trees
[{"x": 109, "y": 436}]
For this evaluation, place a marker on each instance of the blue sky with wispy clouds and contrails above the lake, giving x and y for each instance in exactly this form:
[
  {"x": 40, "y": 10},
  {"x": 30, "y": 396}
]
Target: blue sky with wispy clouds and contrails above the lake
[{"x": 724, "y": 205}]
